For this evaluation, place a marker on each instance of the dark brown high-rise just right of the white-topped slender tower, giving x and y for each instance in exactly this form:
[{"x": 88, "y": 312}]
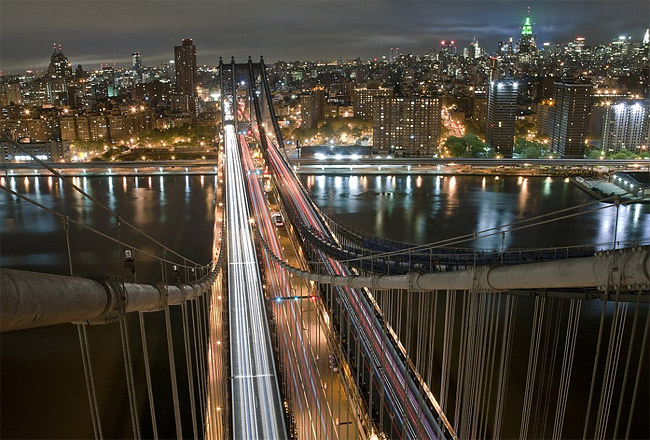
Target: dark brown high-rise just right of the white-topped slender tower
[{"x": 570, "y": 118}]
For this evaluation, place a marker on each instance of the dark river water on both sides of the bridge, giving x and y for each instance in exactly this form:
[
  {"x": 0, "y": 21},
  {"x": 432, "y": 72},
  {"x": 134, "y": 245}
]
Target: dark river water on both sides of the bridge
[{"x": 43, "y": 392}]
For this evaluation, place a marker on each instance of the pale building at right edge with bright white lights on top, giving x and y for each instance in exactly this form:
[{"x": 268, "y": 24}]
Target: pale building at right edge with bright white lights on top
[{"x": 627, "y": 125}]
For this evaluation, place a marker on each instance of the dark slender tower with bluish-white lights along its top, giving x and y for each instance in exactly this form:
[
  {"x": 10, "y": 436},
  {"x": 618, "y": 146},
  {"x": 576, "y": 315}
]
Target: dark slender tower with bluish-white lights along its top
[{"x": 502, "y": 108}]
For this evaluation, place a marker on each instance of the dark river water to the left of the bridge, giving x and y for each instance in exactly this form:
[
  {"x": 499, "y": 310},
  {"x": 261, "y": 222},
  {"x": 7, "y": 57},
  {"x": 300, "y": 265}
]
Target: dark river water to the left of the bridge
[{"x": 41, "y": 378}]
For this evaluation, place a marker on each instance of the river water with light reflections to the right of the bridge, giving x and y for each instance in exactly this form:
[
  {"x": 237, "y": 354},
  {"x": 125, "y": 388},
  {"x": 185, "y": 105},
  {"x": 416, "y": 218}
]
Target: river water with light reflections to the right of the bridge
[{"x": 440, "y": 207}]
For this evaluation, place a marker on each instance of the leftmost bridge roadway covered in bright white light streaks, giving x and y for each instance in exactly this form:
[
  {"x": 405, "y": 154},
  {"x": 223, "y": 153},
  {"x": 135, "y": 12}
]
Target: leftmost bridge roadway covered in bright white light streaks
[{"x": 256, "y": 403}]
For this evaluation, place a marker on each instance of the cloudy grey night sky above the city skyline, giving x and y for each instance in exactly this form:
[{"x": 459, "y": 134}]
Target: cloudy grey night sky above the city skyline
[{"x": 99, "y": 31}]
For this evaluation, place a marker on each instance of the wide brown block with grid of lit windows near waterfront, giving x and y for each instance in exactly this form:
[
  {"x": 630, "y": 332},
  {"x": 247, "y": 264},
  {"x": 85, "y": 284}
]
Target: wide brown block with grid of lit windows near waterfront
[{"x": 408, "y": 127}]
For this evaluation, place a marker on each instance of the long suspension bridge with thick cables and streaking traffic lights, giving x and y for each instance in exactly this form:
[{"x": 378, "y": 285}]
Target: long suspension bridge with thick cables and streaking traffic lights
[{"x": 303, "y": 327}]
